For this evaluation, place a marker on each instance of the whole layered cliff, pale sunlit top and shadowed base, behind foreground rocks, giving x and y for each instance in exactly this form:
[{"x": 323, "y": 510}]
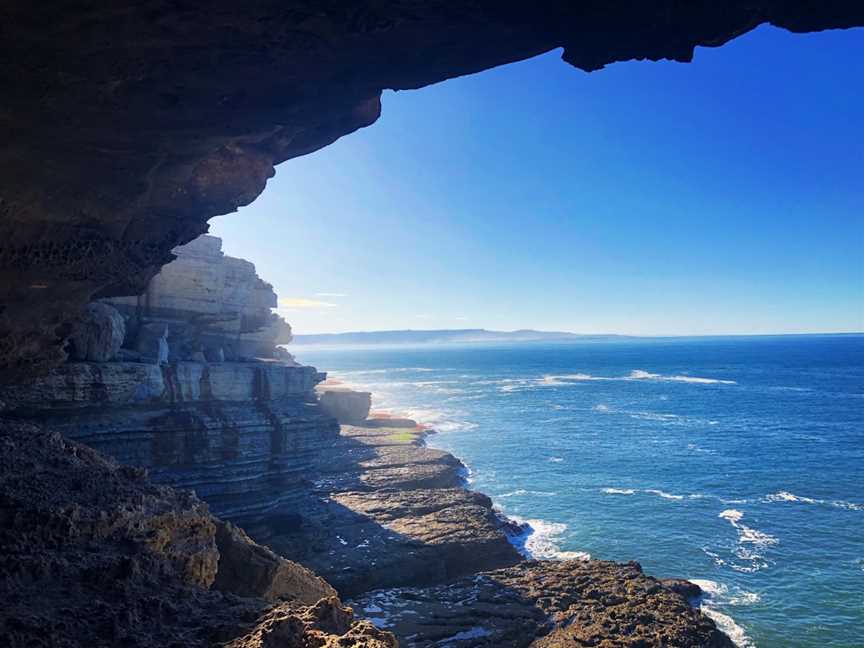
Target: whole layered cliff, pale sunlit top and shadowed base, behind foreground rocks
[{"x": 165, "y": 382}]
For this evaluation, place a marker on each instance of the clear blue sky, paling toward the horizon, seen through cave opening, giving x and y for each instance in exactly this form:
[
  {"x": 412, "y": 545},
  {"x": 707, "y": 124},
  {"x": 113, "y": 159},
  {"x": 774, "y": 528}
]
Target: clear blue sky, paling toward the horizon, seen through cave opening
[{"x": 723, "y": 196}]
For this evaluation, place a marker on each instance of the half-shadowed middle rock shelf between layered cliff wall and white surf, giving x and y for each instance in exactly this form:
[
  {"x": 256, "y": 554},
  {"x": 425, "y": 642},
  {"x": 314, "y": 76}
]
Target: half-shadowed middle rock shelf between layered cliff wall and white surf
[{"x": 385, "y": 510}]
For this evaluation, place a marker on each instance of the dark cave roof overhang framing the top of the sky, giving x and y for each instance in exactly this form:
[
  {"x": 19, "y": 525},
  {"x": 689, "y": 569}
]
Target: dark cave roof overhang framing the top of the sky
[{"x": 125, "y": 126}]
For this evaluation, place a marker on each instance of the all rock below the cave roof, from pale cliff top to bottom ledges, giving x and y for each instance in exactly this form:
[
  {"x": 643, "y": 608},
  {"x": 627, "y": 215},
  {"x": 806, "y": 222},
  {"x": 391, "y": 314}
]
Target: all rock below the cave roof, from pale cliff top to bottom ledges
[{"x": 95, "y": 554}]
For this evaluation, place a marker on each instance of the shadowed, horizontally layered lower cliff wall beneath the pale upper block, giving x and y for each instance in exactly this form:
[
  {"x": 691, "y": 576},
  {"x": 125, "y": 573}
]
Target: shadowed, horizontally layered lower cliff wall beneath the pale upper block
[{"x": 245, "y": 436}]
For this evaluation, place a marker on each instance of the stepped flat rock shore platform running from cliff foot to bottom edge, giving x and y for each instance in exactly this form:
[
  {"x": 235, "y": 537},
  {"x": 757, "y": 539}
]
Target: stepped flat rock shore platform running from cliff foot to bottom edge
[{"x": 394, "y": 510}]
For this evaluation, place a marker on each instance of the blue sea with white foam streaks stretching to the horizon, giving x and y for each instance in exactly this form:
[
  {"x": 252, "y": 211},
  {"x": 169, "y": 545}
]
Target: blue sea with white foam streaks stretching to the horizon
[{"x": 737, "y": 462}]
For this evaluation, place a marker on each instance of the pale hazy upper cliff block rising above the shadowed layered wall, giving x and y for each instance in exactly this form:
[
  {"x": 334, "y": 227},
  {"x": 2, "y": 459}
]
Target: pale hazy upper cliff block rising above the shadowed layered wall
[{"x": 208, "y": 304}]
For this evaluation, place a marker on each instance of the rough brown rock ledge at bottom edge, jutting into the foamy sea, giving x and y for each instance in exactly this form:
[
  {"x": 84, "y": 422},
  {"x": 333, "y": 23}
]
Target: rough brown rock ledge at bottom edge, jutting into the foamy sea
[{"x": 545, "y": 604}]
